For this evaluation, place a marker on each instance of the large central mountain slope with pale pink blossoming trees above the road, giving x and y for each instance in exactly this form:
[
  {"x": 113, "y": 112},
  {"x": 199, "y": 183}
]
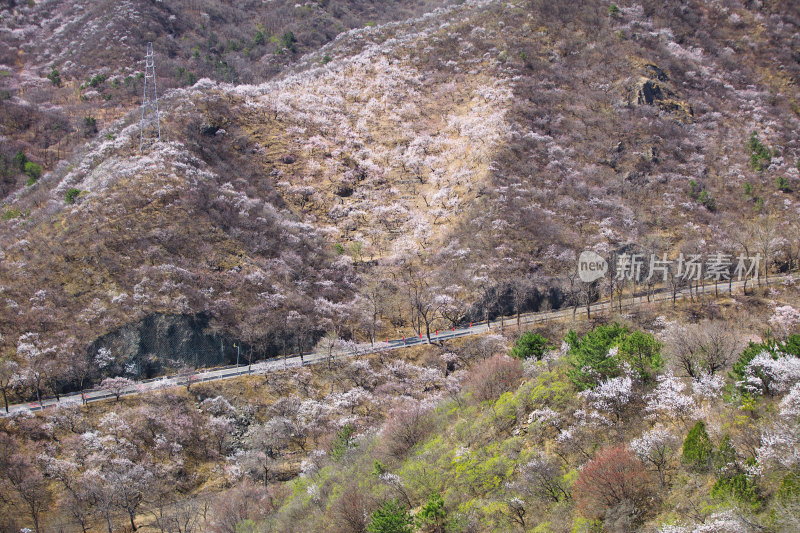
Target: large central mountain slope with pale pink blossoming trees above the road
[{"x": 457, "y": 159}]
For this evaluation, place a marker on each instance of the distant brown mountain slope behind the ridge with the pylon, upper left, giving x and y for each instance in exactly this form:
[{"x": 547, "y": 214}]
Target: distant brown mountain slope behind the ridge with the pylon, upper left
[{"x": 67, "y": 68}]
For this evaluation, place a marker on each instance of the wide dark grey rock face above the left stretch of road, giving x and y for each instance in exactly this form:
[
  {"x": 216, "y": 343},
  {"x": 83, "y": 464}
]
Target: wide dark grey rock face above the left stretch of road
[{"x": 161, "y": 343}]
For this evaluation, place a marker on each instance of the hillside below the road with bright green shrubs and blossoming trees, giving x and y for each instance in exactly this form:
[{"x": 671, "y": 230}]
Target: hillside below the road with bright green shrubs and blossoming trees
[{"x": 670, "y": 419}]
